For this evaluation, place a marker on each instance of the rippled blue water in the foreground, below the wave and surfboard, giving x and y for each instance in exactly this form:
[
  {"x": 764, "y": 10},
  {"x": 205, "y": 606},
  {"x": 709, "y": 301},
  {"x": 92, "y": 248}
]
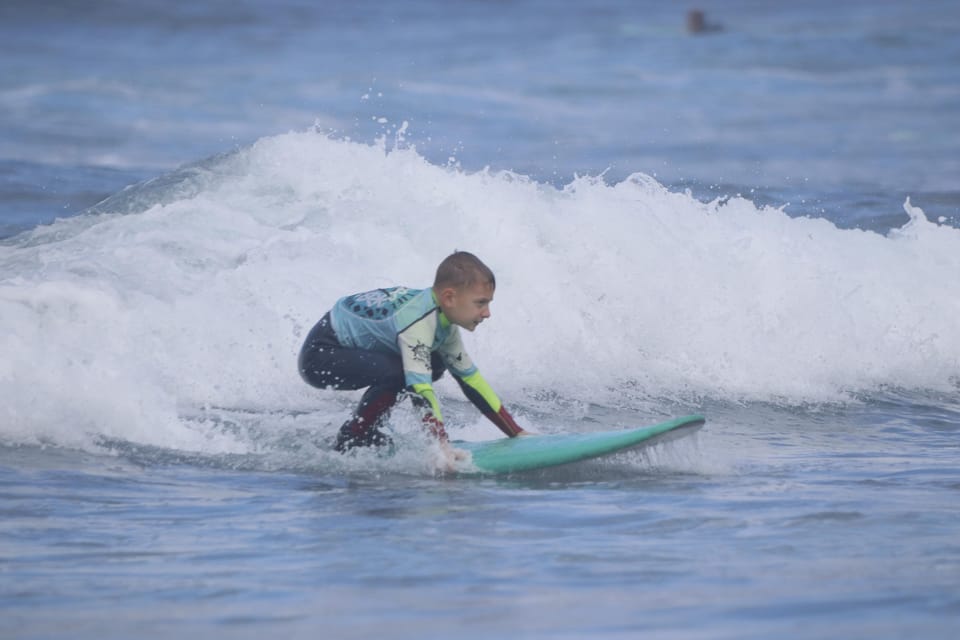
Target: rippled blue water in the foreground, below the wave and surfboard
[{"x": 841, "y": 525}]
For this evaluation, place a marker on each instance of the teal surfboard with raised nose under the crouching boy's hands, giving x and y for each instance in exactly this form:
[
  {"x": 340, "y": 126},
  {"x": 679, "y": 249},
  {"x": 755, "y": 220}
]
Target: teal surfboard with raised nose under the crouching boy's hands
[{"x": 508, "y": 455}]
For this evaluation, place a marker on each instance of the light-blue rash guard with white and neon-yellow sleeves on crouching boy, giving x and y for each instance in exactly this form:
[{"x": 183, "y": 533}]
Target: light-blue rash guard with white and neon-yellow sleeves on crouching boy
[{"x": 409, "y": 322}]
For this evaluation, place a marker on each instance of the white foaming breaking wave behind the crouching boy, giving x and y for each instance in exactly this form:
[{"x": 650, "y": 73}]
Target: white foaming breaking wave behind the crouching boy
[{"x": 197, "y": 290}]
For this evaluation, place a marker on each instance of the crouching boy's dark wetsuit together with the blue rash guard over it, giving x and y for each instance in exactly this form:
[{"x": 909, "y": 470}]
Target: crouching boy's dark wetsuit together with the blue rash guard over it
[{"x": 392, "y": 340}]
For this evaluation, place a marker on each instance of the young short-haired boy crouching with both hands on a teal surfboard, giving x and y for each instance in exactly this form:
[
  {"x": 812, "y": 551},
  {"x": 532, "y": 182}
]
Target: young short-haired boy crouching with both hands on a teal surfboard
[{"x": 401, "y": 340}]
